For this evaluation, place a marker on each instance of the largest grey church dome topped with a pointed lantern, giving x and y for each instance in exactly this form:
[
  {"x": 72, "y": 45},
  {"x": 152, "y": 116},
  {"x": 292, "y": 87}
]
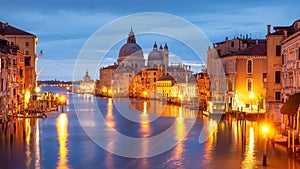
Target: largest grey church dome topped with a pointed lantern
[{"x": 131, "y": 54}]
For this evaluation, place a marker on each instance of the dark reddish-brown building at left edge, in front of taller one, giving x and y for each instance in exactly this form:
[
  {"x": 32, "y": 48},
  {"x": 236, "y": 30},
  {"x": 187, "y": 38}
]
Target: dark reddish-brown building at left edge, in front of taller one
[{"x": 11, "y": 79}]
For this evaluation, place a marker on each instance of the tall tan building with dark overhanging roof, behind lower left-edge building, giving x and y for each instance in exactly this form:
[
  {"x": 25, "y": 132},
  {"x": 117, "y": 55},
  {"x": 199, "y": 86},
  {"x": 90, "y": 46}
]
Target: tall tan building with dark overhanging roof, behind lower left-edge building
[{"x": 27, "y": 45}]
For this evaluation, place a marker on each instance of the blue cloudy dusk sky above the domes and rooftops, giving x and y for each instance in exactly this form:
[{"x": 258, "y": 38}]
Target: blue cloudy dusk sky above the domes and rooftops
[{"x": 63, "y": 27}]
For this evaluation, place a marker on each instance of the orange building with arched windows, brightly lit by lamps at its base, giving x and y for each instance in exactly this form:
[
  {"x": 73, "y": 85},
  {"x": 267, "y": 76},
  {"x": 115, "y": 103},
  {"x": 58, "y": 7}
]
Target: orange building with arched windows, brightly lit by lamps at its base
[{"x": 235, "y": 68}]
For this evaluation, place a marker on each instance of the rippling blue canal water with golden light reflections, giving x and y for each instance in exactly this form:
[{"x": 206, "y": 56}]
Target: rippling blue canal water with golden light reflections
[{"x": 64, "y": 140}]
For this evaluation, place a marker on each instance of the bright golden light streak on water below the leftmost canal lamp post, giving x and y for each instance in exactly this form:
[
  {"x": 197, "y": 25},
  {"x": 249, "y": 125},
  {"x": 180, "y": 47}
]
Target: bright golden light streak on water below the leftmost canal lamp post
[{"x": 62, "y": 132}]
